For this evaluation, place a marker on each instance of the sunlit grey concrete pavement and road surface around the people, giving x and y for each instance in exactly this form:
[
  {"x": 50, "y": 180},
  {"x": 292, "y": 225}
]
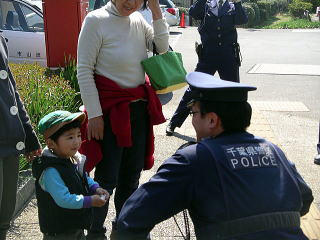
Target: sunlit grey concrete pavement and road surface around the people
[{"x": 289, "y": 125}]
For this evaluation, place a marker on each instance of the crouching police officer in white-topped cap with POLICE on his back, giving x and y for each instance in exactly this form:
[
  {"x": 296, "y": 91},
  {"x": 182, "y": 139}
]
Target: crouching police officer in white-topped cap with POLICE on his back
[{"x": 235, "y": 185}]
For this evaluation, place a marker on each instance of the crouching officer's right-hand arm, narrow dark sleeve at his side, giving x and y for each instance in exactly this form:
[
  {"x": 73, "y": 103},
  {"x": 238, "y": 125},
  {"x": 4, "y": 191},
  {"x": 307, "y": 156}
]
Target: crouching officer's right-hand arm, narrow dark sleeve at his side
[{"x": 306, "y": 193}]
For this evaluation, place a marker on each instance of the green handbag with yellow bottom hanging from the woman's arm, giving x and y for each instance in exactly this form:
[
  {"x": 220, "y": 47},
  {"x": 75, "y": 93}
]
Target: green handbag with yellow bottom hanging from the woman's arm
[{"x": 165, "y": 71}]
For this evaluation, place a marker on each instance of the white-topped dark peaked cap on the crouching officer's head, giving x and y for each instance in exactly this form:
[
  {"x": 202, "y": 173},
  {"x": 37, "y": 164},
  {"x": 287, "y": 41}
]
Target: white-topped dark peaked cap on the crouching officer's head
[{"x": 206, "y": 87}]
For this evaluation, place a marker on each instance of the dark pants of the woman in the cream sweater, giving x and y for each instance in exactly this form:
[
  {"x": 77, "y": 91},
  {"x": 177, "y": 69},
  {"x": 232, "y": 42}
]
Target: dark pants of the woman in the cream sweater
[{"x": 120, "y": 167}]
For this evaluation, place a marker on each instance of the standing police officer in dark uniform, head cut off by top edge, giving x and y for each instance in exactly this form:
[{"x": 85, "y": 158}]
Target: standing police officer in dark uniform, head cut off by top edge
[{"x": 219, "y": 50}]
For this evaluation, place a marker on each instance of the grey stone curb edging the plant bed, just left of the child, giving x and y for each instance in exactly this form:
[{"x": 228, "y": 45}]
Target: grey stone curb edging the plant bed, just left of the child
[{"x": 24, "y": 195}]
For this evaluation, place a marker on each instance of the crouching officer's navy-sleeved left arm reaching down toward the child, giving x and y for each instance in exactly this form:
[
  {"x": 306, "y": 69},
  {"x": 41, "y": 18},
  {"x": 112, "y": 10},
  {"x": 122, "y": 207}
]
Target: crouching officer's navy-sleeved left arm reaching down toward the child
[{"x": 168, "y": 192}]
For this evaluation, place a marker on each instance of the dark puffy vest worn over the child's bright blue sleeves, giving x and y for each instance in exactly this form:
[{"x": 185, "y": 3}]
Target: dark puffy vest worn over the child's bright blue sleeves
[{"x": 52, "y": 218}]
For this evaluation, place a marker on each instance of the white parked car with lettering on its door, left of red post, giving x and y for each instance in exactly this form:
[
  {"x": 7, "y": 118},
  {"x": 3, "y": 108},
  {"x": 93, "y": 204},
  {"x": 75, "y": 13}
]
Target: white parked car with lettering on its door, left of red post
[{"x": 23, "y": 28}]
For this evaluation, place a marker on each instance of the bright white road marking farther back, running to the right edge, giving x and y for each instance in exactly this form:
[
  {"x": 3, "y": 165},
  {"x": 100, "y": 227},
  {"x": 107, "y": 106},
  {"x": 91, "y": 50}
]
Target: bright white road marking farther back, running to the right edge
[{"x": 285, "y": 69}]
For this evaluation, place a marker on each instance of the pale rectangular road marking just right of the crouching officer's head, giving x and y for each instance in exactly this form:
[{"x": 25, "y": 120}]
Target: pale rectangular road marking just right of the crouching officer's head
[{"x": 279, "y": 106}]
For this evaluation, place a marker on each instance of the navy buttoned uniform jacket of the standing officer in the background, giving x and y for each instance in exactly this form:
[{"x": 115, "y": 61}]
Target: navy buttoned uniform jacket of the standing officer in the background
[{"x": 218, "y": 29}]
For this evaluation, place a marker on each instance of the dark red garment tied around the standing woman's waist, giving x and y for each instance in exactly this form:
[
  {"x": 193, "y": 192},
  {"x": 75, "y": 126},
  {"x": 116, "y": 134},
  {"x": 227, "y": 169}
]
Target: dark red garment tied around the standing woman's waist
[{"x": 115, "y": 102}]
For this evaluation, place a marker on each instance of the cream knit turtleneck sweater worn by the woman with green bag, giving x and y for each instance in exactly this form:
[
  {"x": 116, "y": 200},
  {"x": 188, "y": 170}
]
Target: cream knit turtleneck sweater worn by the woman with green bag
[{"x": 113, "y": 46}]
